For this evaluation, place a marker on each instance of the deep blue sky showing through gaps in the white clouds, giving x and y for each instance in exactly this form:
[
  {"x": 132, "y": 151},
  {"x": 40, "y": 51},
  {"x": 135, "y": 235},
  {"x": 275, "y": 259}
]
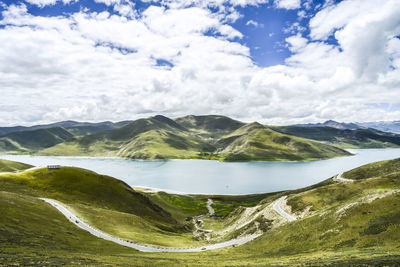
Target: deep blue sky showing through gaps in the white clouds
[{"x": 264, "y": 26}]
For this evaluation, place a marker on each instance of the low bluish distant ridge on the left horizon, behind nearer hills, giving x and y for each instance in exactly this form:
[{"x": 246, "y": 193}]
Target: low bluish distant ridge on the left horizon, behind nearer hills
[{"x": 74, "y": 127}]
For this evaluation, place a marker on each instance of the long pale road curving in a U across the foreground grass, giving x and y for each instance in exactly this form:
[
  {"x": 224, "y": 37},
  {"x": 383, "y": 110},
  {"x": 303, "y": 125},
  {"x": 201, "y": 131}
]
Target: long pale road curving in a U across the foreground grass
[{"x": 141, "y": 247}]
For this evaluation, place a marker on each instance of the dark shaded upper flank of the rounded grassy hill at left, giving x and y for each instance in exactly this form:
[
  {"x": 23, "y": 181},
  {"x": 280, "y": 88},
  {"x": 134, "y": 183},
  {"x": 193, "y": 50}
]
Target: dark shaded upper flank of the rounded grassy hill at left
[{"x": 75, "y": 185}]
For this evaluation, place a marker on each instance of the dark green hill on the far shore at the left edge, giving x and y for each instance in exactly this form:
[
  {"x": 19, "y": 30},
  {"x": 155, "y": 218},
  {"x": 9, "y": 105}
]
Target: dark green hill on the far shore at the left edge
[{"x": 34, "y": 140}]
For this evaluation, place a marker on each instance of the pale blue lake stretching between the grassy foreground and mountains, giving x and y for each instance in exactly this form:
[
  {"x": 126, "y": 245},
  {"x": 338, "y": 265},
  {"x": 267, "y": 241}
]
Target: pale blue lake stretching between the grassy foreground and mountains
[{"x": 213, "y": 177}]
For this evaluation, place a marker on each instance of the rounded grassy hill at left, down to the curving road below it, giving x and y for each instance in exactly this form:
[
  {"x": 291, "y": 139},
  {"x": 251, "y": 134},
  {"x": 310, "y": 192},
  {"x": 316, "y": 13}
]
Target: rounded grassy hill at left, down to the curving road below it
[{"x": 103, "y": 201}]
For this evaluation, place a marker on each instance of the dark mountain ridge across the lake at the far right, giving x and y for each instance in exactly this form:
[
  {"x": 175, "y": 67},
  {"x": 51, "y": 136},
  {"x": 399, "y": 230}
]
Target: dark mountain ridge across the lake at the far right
[{"x": 359, "y": 138}]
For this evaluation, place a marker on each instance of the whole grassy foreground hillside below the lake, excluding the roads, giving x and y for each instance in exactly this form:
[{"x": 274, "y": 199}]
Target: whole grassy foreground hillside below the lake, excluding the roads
[{"x": 337, "y": 223}]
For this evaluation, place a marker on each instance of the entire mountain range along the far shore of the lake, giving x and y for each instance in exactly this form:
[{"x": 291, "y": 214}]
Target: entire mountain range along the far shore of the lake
[{"x": 195, "y": 137}]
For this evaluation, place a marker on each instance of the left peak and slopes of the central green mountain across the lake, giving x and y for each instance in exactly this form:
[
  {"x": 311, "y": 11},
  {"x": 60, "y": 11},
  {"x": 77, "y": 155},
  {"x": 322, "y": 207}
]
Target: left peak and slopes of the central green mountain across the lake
[{"x": 153, "y": 138}]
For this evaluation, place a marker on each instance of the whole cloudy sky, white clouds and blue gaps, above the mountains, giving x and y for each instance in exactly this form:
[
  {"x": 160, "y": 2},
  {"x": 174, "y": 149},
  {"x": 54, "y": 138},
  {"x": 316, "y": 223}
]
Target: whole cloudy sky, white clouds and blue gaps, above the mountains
[{"x": 272, "y": 61}]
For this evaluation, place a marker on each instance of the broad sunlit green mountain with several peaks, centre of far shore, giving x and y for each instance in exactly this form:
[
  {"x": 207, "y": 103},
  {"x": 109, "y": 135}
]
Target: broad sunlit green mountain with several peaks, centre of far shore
[{"x": 204, "y": 137}]
